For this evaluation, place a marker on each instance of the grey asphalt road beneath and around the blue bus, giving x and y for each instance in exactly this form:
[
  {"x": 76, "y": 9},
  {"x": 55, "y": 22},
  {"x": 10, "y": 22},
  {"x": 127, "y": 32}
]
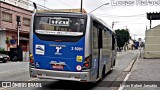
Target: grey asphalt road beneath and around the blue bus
[{"x": 19, "y": 71}]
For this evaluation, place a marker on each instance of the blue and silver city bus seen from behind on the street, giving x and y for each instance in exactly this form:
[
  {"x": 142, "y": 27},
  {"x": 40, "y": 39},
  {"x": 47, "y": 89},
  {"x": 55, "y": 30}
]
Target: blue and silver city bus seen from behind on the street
[{"x": 71, "y": 46}]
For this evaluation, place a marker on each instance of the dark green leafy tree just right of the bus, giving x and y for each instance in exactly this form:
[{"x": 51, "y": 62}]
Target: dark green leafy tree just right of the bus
[{"x": 122, "y": 37}]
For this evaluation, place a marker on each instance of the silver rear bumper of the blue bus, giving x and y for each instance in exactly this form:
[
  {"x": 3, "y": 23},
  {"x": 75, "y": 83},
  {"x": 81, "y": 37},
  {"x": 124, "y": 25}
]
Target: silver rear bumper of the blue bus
[{"x": 60, "y": 75}]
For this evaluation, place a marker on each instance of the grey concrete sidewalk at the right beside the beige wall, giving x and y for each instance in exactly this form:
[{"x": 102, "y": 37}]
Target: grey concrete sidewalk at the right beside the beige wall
[{"x": 145, "y": 72}]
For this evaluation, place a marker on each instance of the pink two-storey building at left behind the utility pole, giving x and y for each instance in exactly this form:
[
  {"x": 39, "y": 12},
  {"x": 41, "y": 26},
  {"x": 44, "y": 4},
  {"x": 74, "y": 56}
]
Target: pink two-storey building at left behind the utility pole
[{"x": 8, "y": 26}]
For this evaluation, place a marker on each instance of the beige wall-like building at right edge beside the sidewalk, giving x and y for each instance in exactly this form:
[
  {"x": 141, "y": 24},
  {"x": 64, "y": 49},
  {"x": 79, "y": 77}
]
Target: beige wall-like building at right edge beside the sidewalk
[{"x": 152, "y": 43}]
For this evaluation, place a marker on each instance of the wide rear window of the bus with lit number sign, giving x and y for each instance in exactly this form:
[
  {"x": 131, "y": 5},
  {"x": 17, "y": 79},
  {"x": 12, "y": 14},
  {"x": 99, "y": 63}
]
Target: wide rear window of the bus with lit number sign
[{"x": 63, "y": 26}]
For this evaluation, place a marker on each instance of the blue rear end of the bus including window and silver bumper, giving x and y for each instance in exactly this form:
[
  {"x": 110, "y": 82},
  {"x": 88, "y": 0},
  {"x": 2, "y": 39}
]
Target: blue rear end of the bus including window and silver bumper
[{"x": 58, "y": 48}]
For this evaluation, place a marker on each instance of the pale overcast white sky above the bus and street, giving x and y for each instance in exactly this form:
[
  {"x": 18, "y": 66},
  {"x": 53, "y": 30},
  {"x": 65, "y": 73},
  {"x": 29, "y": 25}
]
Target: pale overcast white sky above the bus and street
[{"x": 130, "y": 14}]
